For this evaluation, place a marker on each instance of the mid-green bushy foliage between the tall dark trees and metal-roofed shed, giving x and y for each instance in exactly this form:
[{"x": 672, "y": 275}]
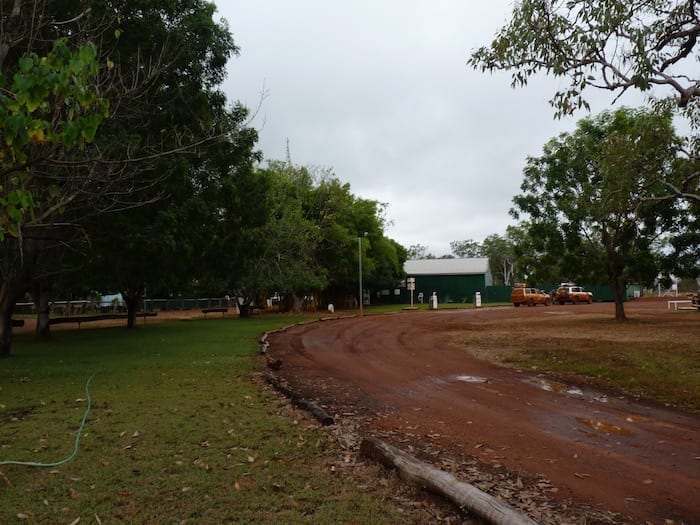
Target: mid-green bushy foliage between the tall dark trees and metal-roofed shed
[{"x": 308, "y": 243}]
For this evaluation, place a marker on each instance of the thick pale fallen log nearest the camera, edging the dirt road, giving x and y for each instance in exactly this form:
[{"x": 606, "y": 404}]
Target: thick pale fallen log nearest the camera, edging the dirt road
[{"x": 462, "y": 494}]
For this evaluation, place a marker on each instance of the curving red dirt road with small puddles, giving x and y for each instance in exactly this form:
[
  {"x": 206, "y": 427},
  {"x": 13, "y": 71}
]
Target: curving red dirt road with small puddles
[{"x": 604, "y": 457}]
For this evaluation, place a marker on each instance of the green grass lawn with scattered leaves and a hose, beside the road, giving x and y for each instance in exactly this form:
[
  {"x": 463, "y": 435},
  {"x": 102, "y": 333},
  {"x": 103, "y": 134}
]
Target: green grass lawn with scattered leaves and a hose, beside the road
[{"x": 179, "y": 432}]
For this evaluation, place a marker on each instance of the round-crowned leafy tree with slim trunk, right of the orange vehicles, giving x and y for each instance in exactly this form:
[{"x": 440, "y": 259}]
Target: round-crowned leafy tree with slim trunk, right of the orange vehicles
[{"x": 591, "y": 197}]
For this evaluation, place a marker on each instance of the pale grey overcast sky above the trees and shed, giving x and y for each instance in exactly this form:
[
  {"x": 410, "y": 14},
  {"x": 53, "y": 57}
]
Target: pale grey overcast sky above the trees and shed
[{"x": 379, "y": 91}]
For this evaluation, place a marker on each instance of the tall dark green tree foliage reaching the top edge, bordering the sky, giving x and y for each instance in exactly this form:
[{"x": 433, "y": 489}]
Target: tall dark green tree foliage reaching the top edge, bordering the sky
[{"x": 189, "y": 189}]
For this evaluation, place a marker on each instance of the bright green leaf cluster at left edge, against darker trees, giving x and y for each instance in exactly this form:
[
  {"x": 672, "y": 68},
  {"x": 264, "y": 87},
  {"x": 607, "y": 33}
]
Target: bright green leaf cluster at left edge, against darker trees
[{"x": 51, "y": 102}]
